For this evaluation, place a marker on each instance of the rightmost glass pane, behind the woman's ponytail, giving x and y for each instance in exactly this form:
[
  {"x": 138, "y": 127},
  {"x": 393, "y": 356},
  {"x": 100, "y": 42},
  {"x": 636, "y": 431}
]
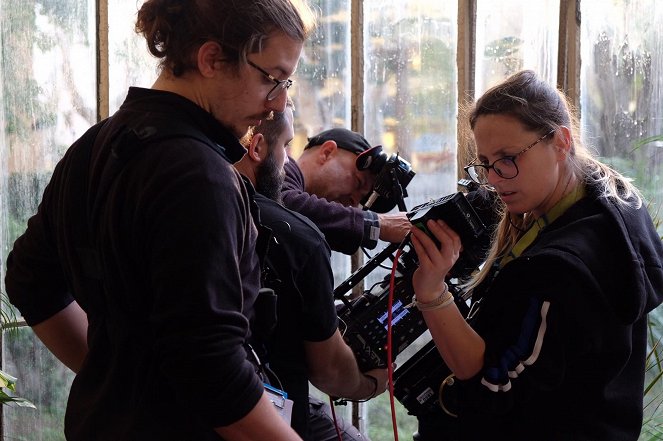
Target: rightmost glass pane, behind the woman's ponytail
[{"x": 622, "y": 89}]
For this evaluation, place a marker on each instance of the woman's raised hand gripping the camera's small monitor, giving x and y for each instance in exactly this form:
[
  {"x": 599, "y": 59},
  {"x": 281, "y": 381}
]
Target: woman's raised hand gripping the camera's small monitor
[{"x": 434, "y": 262}]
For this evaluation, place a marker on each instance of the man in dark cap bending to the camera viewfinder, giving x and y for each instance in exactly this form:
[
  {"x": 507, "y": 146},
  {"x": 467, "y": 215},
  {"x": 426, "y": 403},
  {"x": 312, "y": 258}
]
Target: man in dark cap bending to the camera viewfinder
[{"x": 326, "y": 186}]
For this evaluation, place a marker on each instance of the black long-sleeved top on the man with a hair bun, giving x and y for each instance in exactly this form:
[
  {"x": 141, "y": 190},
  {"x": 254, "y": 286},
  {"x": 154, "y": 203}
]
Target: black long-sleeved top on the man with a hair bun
[{"x": 163, "y": 262}]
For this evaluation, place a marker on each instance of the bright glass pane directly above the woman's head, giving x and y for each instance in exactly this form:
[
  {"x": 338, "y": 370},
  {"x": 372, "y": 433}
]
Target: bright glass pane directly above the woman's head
[{"x": 515, "y": 34}]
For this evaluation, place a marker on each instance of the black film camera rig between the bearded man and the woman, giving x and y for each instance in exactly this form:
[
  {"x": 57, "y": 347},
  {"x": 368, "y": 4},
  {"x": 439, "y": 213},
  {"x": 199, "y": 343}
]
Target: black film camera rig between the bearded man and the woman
[{"x": 364, "y": 320}]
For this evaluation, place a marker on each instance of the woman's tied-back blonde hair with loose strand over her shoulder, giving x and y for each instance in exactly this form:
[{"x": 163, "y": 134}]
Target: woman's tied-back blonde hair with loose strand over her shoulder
[{"x": 542, "y": 108}]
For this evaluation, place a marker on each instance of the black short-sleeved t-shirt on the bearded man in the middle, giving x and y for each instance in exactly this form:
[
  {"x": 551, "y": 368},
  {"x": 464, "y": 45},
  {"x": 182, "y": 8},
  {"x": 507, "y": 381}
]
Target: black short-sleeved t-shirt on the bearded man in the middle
[{"x": 301, "y": 276}]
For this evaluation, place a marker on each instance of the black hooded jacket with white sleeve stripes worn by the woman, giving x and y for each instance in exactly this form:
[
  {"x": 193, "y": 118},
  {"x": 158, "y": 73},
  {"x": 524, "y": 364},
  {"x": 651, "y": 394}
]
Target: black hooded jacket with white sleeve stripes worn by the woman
[{"x": 565, "y": 326}]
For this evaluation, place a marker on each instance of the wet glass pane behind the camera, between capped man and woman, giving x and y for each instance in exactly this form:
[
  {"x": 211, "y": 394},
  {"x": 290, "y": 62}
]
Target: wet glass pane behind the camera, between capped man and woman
[{"x": 410, "y": 107}]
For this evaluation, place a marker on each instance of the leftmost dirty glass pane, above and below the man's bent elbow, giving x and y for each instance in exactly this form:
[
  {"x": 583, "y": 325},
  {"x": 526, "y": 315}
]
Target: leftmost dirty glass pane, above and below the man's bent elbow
[{"x": 47, "y": 100}]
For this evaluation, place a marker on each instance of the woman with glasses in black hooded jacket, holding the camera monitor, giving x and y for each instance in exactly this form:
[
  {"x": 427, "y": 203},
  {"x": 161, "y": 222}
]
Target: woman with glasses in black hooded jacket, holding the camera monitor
[{"x": 555, "y": 344}]
